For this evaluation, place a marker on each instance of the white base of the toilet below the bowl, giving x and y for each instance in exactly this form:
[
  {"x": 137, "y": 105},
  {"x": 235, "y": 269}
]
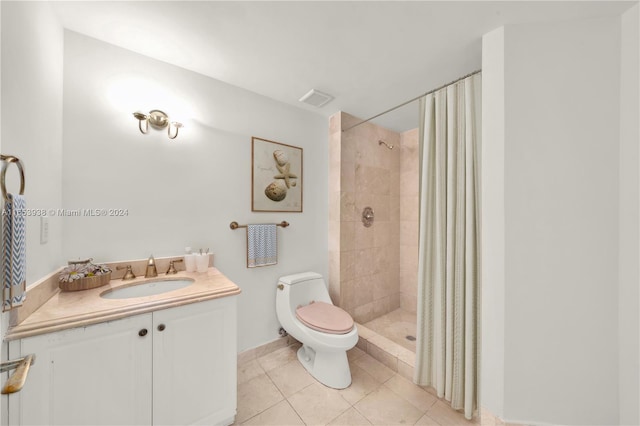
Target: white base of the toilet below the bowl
[{"x": 329, "y": 368}]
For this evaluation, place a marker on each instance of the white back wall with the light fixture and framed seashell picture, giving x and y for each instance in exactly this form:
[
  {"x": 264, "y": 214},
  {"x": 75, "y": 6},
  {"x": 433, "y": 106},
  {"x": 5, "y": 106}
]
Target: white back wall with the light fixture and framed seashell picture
[{"x": 183, "y": 192}]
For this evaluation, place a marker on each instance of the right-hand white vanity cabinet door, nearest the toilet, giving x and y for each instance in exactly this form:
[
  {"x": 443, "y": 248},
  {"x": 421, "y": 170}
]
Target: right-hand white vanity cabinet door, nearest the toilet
[{"x": 194, "y": 363}]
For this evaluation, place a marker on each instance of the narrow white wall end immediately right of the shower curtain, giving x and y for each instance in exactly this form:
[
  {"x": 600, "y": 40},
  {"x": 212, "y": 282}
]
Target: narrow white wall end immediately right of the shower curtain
[{"x": 493, "y": 219}]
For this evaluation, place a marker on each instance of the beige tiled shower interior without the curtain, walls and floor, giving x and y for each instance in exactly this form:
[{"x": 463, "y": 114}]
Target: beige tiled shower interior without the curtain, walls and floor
[{"x": 373, "y": 226}]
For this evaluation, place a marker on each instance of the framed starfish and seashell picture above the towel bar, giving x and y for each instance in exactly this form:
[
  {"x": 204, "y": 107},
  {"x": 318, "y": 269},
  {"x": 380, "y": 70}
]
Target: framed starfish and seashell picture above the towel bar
[{"x": 276, "y": 176}]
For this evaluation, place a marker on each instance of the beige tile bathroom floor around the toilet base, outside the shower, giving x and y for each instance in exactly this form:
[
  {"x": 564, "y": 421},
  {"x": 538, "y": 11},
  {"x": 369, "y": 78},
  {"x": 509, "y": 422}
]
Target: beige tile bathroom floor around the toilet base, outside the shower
[{"x": 276, "y": 390}]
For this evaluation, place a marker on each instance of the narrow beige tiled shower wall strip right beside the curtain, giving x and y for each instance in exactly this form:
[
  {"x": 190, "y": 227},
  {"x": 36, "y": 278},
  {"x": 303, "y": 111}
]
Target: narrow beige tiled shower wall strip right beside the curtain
[{"x": 409, "y": 206}]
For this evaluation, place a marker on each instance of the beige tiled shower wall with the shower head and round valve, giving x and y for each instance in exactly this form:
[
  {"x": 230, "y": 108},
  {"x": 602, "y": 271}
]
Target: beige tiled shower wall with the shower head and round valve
[{"x": 364, "y": 263}]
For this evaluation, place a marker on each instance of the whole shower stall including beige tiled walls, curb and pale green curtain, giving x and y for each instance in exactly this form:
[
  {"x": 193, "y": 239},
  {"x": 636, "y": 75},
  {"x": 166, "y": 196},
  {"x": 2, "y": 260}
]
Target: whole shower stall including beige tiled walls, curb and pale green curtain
[{"x": 393, "y": 275}]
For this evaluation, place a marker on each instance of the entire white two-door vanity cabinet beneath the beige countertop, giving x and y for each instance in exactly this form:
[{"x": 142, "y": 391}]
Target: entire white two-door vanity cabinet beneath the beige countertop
[{"x": 171, "y": 366}]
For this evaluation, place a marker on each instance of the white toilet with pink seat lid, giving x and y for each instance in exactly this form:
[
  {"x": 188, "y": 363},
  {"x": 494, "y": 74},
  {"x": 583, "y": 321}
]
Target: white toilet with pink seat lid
[{"x": 326, "y": 332}]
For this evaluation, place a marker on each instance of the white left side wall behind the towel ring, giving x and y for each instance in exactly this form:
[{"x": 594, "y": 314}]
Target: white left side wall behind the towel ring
[{"x": 32, "y": 46}]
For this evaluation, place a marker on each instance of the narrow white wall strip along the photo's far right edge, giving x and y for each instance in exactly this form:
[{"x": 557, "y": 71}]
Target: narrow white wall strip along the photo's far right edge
[{"x": 628, "y": 318}]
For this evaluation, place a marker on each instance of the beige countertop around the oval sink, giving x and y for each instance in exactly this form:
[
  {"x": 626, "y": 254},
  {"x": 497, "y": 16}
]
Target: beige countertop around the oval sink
[{"x": 70, "y": 309}]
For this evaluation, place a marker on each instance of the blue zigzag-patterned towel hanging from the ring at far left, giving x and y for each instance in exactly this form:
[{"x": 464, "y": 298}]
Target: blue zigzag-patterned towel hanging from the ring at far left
[{"x": 14, "y": 256}]
